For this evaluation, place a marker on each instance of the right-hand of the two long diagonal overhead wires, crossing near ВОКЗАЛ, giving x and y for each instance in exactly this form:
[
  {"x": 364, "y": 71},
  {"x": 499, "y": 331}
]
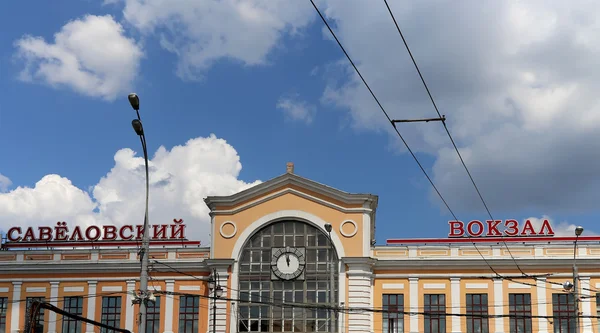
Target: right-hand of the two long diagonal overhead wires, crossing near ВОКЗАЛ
[{"x": 447, "y": 130}]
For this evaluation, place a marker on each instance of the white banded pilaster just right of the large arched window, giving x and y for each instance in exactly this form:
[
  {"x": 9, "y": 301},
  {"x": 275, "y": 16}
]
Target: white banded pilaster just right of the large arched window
[{"x": 360, "y": 277}]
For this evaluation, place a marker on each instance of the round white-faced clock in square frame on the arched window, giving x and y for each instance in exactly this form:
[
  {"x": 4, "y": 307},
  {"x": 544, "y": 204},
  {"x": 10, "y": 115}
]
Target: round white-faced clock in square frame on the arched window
[{"x": 287, "y": 263}]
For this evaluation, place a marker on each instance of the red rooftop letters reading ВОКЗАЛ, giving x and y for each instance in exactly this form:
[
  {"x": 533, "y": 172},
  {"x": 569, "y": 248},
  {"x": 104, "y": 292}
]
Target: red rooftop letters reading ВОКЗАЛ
[{"x": 491, "y": 228}]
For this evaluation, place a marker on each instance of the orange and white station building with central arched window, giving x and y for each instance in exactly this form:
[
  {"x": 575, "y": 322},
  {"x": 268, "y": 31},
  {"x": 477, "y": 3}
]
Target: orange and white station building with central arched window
[{"x": 281, "y": 270}]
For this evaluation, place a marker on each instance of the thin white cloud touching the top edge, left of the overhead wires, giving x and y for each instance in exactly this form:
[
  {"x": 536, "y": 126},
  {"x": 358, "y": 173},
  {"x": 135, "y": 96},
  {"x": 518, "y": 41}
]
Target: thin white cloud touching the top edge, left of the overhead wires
[{"x": 203, "y": 32}]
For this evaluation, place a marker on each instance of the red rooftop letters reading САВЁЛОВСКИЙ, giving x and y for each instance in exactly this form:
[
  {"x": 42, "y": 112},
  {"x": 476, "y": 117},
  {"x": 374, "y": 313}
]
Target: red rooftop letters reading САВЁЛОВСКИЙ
[{"x": 61, "y": 233}]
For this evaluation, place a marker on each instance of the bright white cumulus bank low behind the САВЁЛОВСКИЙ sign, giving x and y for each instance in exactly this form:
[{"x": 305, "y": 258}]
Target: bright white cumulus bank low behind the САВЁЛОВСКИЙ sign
[{"x": 180, "y": 179}]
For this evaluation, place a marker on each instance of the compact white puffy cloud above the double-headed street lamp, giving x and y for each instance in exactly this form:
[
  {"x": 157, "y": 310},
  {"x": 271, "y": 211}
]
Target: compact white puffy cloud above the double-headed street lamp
[{"x": 90, "y": 55}]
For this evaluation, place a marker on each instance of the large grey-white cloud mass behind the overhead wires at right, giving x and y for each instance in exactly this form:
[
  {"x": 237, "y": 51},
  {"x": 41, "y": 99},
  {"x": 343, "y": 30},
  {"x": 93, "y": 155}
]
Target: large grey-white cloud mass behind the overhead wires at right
[{"x": 517, "y": 81}]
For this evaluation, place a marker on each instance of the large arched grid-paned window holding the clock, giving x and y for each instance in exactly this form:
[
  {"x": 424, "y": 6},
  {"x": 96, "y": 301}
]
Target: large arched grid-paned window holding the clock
[{"x": 286, "y": 262}]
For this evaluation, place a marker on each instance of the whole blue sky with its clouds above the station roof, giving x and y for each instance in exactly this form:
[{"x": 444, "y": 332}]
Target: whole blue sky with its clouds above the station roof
[{"x": 266, "y": 78}]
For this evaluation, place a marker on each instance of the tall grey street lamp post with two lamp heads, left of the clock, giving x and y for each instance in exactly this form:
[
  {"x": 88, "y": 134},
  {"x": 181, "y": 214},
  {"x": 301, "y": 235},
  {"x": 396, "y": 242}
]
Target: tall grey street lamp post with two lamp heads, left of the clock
[{"x": 134, "y": 100}]
